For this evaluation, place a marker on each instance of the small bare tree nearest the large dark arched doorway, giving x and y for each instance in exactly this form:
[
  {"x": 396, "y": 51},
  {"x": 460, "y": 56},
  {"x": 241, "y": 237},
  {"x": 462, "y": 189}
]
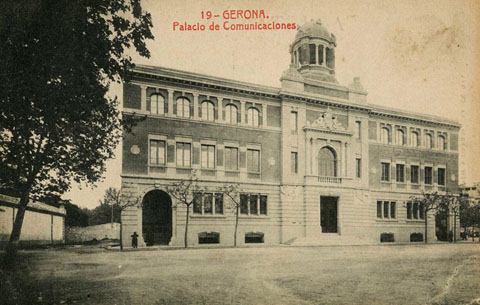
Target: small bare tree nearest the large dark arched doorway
[{"x": 183, "y": 192}]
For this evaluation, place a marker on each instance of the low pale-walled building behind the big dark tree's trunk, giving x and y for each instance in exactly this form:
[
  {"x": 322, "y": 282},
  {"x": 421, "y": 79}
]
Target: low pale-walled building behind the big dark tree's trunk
[{"x": 43, "y": 224}]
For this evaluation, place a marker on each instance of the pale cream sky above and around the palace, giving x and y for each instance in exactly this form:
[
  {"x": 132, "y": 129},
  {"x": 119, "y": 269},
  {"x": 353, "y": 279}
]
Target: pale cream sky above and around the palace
[{"x": 420, "y": 56}]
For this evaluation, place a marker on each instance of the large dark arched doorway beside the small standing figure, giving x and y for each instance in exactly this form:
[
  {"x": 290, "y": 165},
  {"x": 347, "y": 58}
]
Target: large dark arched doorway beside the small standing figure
[{"x": 157, "y": 218}]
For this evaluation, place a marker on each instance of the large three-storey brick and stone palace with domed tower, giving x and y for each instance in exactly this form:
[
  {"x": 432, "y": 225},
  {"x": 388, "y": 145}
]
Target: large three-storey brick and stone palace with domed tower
[{"x": 316, "y": 163}]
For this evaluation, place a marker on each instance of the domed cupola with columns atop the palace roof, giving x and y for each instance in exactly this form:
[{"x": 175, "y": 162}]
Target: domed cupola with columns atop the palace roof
[{"x": 313, "y": 52}]
